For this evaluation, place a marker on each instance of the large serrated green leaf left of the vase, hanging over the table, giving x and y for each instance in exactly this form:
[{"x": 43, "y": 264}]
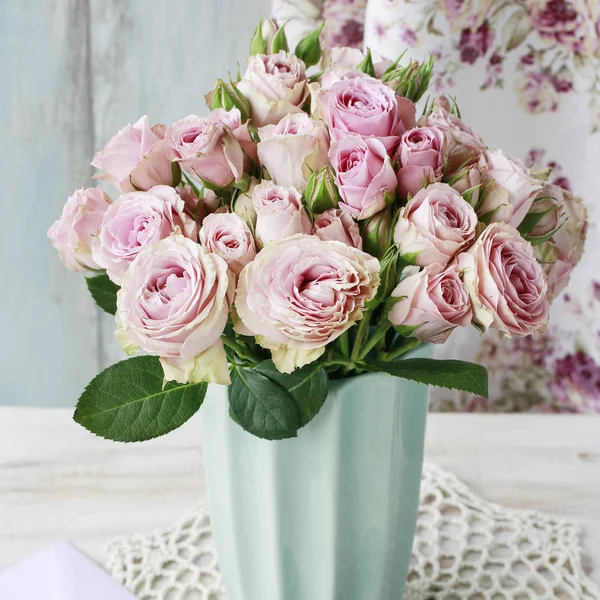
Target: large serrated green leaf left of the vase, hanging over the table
[{"x": 129, "y": 402}]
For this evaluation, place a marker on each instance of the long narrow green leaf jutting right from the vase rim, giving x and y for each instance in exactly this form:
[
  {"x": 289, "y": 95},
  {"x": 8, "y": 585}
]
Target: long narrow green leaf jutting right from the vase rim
[{"x": 452, "y": 374}]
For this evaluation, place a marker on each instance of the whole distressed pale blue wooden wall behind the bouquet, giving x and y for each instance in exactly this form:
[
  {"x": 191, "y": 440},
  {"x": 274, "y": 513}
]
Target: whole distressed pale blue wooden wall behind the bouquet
[{"x": 72, "y": 72}]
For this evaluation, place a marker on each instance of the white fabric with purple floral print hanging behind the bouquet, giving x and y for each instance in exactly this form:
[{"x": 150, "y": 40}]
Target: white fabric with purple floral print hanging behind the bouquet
[{"x": 526, "y": 74}]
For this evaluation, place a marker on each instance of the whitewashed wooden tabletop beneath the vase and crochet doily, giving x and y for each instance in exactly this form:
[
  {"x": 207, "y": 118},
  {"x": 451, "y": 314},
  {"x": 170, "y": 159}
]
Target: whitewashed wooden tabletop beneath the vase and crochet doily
[{"x": 57, "y": 481}]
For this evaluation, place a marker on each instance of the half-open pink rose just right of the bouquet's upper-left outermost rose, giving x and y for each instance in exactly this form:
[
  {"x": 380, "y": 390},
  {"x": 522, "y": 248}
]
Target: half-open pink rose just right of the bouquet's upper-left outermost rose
[{"x": 207, "y": 150}]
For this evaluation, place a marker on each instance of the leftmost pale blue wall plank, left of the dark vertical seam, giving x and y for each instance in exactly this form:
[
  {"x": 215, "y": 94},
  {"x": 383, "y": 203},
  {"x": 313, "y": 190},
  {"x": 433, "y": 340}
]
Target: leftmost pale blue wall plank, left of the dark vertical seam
[{"x": 49, "y": 334}]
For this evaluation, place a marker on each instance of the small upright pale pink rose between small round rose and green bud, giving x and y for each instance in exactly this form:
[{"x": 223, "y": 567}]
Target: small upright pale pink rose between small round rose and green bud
[{"x": 279, "y": 212}]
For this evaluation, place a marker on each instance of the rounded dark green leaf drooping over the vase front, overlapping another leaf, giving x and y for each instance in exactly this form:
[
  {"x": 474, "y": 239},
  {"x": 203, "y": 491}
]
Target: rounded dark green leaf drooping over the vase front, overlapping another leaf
[{"x": 261, "y": 406}]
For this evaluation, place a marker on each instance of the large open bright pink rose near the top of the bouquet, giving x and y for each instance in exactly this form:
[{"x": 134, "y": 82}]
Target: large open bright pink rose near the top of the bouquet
[{"x": 367, "y": 107}]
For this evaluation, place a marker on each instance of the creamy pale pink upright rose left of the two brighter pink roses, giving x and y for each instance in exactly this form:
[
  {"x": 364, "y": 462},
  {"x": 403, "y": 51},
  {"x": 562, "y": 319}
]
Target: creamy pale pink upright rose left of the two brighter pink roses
[{"x": 293, "y": 149}]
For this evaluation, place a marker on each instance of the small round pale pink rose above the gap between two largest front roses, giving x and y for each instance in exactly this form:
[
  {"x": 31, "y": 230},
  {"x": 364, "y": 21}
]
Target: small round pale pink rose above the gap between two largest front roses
[{"x": 227, "y": 235}]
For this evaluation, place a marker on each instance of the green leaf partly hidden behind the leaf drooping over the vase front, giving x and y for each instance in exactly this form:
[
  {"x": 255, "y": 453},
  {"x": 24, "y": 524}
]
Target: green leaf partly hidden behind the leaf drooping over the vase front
[{"x": 307, "y": 386}]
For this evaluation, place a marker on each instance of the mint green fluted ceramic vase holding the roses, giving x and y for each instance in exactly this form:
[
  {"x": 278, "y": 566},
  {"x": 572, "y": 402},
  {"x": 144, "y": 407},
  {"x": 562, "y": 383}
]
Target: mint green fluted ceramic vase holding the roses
[{"x": 329, "y": 515}]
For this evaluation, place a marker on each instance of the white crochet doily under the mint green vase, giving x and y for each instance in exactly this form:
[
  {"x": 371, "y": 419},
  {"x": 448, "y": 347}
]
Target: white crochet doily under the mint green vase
[{"x": 465, "y": 549}]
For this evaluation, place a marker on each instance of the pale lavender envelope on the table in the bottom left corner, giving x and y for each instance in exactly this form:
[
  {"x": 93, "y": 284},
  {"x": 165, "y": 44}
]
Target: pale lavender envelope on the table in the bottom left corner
[{"x": 60, "y": 573}]
